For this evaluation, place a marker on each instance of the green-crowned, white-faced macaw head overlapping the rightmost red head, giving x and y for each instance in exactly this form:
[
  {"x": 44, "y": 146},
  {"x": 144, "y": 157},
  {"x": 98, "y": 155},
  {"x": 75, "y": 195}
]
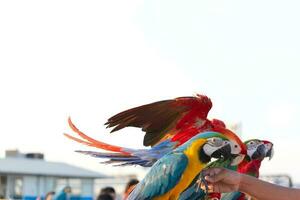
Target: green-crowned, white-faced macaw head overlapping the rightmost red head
[{"x": 256, "y": 149}]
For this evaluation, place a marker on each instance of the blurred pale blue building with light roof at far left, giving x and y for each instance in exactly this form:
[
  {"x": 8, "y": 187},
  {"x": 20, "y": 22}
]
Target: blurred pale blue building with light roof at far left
[{"x": 29, "y": 176}]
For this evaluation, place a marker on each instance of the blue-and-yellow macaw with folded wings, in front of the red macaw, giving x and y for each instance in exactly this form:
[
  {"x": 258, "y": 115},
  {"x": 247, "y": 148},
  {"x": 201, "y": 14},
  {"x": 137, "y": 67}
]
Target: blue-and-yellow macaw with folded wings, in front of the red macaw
[{"x": 172, "y": 173}]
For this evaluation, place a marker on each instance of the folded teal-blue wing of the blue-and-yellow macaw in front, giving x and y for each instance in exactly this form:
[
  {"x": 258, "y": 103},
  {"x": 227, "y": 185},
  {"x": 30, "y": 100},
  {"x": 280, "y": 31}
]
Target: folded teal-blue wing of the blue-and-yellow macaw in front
[{"x": 163, "y": 176}]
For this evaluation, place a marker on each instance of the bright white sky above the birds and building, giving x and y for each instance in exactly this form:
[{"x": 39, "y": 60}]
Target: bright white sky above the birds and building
[{"x": 92, "y": 59}]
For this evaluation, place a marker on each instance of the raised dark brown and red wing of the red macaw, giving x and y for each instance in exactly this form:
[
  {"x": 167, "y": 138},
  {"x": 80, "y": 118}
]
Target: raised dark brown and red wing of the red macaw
[{"x": 164, "y": 117}]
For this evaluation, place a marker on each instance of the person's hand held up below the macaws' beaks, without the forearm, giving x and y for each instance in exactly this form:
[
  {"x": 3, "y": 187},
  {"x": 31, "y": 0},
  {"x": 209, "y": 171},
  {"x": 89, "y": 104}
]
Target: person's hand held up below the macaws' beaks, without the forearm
[{"x": 222, "y": 180}]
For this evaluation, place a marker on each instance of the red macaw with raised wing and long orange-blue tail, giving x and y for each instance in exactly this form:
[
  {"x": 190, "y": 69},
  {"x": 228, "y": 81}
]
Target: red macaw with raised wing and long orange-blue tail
[{"x": 167, "y": 124}]
